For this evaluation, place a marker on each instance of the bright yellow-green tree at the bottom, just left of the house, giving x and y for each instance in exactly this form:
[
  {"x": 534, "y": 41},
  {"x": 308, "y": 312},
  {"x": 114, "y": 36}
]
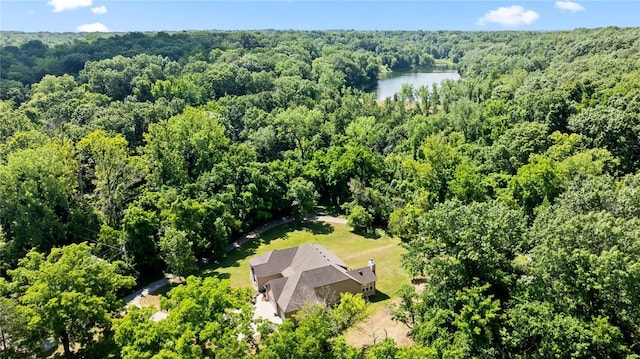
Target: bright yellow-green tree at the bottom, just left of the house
[{"x": 207, "y": 318}]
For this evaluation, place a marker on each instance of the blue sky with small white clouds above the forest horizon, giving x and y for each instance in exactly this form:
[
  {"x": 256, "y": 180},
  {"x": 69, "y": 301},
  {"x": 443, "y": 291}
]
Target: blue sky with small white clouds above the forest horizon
[{"x": 149, "y": 15}]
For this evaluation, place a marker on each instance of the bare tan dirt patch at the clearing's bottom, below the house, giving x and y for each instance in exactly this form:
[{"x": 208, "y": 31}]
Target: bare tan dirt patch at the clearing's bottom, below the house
[{"x": 375, "y": 328}]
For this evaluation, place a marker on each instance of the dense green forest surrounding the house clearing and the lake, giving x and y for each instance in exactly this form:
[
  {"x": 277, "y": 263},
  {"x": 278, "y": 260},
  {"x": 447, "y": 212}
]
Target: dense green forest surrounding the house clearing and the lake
[{"x": 515, "y": 190}]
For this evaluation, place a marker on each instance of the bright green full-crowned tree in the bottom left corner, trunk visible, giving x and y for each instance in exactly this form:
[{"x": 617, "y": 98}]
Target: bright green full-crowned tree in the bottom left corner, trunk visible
[{"x": 70, "y": 294}]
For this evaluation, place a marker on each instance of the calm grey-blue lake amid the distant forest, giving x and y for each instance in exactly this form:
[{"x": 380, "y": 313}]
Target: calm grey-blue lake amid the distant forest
[{"x": 390, "y": 83}]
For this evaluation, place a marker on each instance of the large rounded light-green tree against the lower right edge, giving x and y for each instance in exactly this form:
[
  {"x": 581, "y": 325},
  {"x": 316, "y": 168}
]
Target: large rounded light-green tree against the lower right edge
[{"x": 587, "y": 266}]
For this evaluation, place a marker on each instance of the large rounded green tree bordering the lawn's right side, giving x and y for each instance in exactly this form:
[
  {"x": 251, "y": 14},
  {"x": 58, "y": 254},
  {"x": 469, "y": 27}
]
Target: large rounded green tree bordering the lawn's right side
[{"x": 463, "y": 242}]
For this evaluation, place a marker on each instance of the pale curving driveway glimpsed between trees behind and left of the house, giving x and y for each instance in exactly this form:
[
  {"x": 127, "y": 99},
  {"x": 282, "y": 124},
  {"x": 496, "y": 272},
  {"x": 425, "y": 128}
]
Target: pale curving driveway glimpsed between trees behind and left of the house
[{"x": 135, "y": 297}]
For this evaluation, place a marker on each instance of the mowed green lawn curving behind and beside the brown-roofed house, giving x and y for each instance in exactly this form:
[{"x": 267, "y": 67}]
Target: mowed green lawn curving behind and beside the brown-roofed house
[{"x": 355, "y": 250}]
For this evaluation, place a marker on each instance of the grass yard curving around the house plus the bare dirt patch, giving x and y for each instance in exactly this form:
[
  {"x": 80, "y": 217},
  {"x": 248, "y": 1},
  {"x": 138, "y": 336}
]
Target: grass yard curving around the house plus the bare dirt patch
[{"x": 355, "y": 250}]
